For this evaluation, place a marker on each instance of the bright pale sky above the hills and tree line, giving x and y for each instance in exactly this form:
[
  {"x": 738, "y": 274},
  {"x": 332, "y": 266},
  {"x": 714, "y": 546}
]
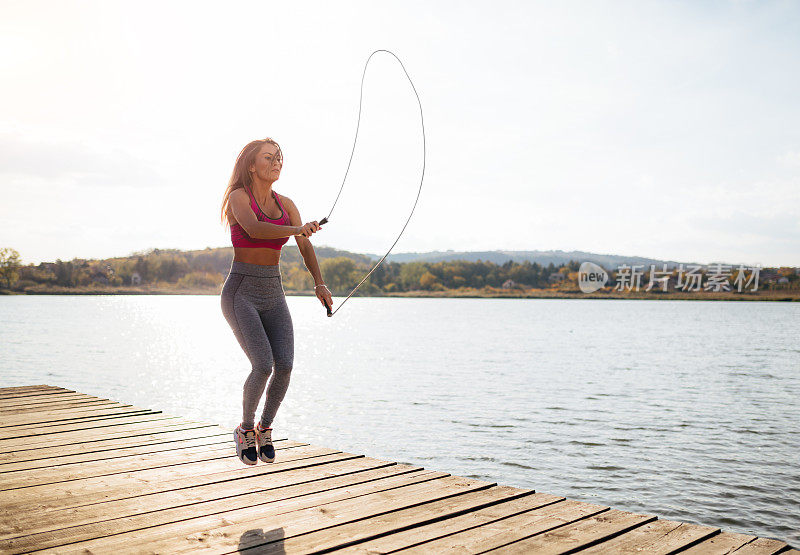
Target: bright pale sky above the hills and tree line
[{"x": 669, "y": 130}]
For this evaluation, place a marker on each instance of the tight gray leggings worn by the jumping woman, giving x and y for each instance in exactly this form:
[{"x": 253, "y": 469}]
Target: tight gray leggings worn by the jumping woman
[{"x": 254, "y": 305}]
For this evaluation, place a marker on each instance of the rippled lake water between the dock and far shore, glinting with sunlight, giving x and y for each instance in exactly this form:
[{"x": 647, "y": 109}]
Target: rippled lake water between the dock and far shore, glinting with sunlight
[{"x": 684, "y": 409}]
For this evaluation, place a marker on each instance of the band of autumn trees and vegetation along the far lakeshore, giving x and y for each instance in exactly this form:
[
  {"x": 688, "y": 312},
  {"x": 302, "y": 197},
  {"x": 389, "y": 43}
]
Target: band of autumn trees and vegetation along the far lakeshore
[{"x": 203, "y": 272}]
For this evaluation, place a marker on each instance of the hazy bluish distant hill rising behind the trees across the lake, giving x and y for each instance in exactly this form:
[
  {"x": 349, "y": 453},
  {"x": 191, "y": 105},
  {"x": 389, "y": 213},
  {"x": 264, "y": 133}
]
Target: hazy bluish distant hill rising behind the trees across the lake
[{"x": 557, "y": 257}]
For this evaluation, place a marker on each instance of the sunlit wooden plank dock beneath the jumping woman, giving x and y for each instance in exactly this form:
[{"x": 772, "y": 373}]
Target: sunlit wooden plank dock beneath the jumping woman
[{"x": 82, "y": 474}]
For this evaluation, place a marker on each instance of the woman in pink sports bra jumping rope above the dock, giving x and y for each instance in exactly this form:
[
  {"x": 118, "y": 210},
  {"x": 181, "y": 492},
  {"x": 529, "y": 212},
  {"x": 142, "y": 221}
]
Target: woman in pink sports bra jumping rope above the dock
[{"x": 253, "y": 300}]
